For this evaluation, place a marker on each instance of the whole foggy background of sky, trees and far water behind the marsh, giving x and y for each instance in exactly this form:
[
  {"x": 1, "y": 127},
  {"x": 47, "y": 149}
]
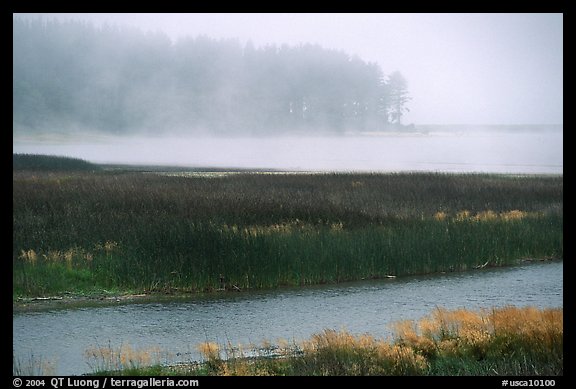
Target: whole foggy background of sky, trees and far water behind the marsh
[{"x": 340, "y": 92}]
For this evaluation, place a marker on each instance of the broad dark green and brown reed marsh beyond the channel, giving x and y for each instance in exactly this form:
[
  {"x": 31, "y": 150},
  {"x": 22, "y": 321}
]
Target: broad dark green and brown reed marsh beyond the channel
[{"x": 86, "y": 231}]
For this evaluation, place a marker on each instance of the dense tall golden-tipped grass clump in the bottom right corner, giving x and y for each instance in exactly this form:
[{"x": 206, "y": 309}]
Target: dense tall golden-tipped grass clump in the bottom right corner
[{"x": 499, "y": 341}]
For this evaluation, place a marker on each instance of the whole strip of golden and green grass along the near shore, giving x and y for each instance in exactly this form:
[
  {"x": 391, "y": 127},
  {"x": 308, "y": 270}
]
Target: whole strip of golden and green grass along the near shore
[{"x": 500, "y": 341}]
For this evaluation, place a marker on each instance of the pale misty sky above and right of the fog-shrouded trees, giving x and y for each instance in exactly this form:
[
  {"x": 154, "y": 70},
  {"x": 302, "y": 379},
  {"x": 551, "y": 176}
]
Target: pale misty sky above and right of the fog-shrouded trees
[{"x": 461, "y": 68}]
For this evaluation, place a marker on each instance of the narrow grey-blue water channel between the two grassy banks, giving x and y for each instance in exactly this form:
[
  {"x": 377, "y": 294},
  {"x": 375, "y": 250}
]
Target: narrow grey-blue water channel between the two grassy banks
[{"x": 60, "y": 337}]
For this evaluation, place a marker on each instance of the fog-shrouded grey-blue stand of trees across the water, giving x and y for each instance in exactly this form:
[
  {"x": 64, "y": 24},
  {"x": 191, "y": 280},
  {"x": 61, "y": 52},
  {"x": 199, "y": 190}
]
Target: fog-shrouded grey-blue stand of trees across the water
[{"x": 69, "y": 75}]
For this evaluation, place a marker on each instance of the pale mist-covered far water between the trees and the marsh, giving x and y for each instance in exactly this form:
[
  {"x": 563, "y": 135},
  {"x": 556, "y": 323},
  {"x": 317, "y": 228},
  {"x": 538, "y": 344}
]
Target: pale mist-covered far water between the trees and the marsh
[{"x": 533, "y": 152}]
